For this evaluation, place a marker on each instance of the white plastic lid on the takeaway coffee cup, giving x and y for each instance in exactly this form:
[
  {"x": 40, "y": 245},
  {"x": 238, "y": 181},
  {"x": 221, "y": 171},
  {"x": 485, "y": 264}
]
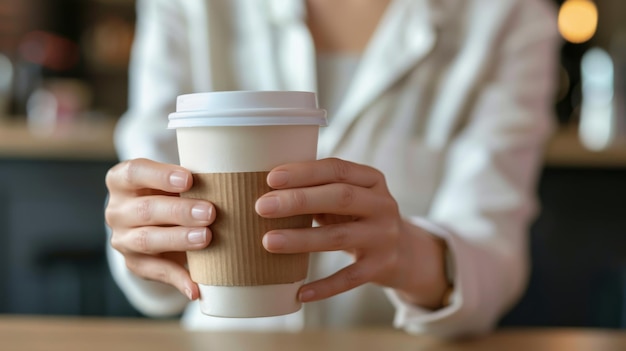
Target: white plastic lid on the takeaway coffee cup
[{"x": 247, "y": 108}]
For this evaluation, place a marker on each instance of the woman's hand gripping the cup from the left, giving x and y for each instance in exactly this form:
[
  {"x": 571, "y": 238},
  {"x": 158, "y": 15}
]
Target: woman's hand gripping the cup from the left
[{"x": 152, "y": 226}]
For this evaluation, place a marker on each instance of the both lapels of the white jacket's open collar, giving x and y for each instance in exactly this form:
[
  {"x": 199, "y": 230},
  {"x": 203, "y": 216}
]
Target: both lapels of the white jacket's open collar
[{"x": 404, "y": 36}]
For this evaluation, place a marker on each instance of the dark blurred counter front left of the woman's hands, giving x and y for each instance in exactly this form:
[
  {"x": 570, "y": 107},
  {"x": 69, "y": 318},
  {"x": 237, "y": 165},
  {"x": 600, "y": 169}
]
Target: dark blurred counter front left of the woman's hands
[{"x": 52, "y": 239}]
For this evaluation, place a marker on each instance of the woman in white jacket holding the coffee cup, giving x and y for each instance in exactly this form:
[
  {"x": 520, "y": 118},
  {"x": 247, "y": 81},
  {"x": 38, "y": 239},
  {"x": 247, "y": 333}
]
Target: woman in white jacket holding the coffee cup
[{"x": 438, "y": 112}]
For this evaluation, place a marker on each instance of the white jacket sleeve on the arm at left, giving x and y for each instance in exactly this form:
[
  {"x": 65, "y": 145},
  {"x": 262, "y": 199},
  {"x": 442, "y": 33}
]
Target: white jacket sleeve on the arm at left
[{"x": 157, "y": 75}]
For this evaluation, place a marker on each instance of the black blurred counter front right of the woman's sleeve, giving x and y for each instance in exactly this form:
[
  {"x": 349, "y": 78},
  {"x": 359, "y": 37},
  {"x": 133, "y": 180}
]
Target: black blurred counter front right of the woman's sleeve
[{"x": 578, "y": 247}]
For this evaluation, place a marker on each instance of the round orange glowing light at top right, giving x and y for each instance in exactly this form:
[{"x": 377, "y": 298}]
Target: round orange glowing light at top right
[{"x": 578, "y": 20}]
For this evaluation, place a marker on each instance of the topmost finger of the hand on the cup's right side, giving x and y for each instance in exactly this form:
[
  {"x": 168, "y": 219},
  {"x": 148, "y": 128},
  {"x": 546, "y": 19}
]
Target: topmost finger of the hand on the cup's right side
[{"x": 326, "y": 171}]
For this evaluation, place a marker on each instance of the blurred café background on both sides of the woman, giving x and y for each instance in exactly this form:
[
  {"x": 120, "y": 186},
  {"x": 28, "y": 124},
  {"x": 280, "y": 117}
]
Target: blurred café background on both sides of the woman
[{"x": 63, "y": 85}]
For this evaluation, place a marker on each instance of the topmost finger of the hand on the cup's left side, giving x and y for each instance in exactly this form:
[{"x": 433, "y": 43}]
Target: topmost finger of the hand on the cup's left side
[{"x": 138, "y": 174}]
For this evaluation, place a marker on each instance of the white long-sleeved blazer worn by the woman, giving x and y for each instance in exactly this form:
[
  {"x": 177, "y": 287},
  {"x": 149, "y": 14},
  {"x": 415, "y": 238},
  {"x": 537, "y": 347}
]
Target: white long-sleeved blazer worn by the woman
[{"x": 452, "y": 101}]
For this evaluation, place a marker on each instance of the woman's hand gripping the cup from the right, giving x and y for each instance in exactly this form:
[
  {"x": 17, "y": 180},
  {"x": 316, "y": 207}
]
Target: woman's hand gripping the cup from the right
[{"x": 357, "y": 214}]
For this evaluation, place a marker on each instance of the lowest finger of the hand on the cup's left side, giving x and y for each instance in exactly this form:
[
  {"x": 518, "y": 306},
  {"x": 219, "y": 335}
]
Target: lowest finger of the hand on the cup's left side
[{"x": 165, "y": 271}]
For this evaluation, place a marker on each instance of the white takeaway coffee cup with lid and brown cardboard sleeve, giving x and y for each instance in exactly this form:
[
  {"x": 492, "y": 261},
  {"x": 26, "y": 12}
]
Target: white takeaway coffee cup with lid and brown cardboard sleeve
[{"x": 230, "y": 141}]
